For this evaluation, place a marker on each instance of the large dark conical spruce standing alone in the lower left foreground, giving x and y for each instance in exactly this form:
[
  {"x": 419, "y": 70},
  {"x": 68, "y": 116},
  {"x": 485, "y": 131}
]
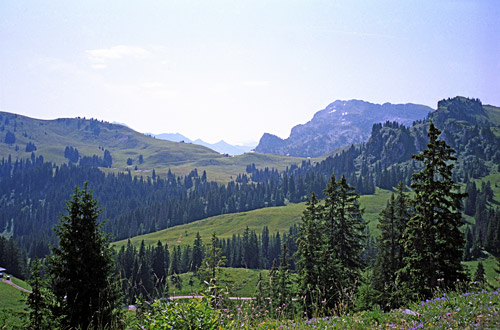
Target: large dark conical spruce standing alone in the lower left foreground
[{"x": 81, "y": 268}]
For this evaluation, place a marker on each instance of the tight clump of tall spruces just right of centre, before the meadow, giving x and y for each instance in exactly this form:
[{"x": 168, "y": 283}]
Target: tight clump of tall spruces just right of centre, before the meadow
[{"x": 330, "y": 244}]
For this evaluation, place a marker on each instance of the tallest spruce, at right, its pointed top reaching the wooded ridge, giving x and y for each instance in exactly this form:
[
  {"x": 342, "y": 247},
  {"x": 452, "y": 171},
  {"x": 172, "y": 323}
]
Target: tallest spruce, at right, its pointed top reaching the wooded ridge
[{"x": 433, "y": 240}]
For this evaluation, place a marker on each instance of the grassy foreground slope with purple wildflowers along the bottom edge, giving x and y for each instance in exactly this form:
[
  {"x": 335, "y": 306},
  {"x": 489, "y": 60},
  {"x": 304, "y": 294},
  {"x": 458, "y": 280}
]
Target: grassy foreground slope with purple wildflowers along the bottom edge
[{"x": 469, "y": 310}]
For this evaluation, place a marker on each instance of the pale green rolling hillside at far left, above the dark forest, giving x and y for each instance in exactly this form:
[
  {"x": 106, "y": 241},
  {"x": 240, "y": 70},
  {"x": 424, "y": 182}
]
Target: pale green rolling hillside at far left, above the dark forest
[{"x": 92, "y": 137}]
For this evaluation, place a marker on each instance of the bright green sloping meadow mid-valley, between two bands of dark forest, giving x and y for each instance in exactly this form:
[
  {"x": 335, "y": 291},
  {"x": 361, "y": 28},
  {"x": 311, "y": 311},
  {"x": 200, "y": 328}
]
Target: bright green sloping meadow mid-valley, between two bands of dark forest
[{"x": 276, "y": 218}]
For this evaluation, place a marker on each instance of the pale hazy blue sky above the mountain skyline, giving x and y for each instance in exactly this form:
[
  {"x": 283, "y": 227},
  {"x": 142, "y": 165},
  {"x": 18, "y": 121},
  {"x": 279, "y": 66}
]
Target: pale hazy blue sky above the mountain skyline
[{"x": 234, "y": 70}]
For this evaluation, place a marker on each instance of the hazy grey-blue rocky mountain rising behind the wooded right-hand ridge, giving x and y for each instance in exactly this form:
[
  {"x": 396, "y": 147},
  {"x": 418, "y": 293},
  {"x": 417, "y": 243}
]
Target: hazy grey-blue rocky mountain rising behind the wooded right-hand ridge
[{"x": 341, "y": 123}]
